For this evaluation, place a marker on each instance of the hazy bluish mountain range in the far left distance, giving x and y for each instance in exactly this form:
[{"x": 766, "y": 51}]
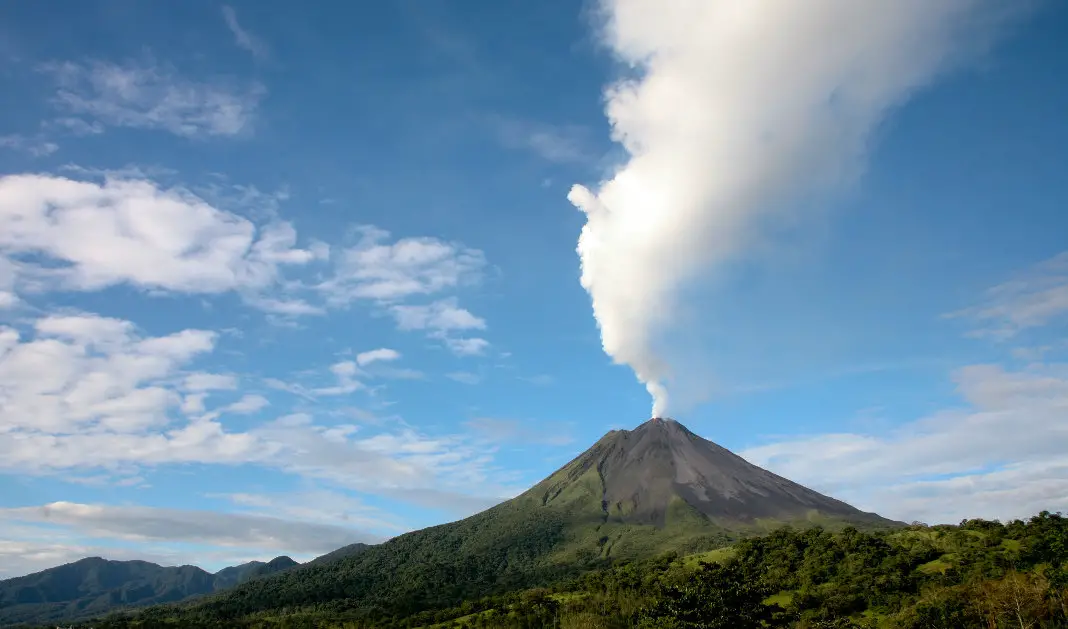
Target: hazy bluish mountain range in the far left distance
[{"x": 95, "y": 587}]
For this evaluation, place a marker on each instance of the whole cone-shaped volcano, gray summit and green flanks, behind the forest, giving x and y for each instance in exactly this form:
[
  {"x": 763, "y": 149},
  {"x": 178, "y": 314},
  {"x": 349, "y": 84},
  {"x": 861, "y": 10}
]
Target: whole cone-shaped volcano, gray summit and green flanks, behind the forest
[{"x": 635, "y": 494}]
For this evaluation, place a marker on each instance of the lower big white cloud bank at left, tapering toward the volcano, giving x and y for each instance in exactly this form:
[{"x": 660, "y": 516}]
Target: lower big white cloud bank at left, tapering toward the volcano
[{"x": 83, "y": 394}]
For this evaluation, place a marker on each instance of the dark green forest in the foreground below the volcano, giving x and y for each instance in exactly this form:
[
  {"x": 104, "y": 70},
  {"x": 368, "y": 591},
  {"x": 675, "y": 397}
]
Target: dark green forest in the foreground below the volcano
[{"x": 979, "y": 574}]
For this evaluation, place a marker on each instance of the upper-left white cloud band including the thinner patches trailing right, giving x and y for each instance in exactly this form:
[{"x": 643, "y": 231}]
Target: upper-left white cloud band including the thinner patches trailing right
[{"x": 121, "y": 228}]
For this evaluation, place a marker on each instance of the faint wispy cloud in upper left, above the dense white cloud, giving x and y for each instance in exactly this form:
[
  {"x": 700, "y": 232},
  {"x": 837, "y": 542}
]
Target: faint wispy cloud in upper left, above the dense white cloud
[{"x": 150, "y": 97}]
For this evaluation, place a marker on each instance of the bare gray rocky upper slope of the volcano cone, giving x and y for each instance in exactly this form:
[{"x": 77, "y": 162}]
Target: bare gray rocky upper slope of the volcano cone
[{"x": 642, "y": 470}]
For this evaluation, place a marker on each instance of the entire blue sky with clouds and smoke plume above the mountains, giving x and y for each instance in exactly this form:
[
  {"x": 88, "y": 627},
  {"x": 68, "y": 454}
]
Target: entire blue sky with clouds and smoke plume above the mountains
[{"x": 276, "y": 279}]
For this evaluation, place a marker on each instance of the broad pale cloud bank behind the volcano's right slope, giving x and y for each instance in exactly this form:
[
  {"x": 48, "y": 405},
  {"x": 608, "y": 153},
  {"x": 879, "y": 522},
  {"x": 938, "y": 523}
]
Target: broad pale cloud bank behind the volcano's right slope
[{"x": 1012, "y": 431}]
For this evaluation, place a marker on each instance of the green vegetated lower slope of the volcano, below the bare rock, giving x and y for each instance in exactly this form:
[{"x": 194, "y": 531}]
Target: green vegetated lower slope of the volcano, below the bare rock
[{"x": 557, "y": 530}]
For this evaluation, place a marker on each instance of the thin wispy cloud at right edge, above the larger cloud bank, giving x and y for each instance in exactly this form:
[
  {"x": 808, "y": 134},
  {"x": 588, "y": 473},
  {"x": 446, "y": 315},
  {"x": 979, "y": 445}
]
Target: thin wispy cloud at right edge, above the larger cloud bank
[{"x": 1036, "y": 298}]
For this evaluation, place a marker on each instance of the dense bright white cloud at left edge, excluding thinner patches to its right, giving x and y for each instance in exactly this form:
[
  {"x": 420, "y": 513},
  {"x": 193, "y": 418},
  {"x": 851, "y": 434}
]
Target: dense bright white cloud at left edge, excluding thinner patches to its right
[{"x": 131, "y": 231}]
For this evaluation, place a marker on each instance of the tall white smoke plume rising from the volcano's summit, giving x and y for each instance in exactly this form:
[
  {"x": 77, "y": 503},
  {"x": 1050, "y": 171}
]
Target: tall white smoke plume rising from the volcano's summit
[{"x": 740, "y": 108}]
